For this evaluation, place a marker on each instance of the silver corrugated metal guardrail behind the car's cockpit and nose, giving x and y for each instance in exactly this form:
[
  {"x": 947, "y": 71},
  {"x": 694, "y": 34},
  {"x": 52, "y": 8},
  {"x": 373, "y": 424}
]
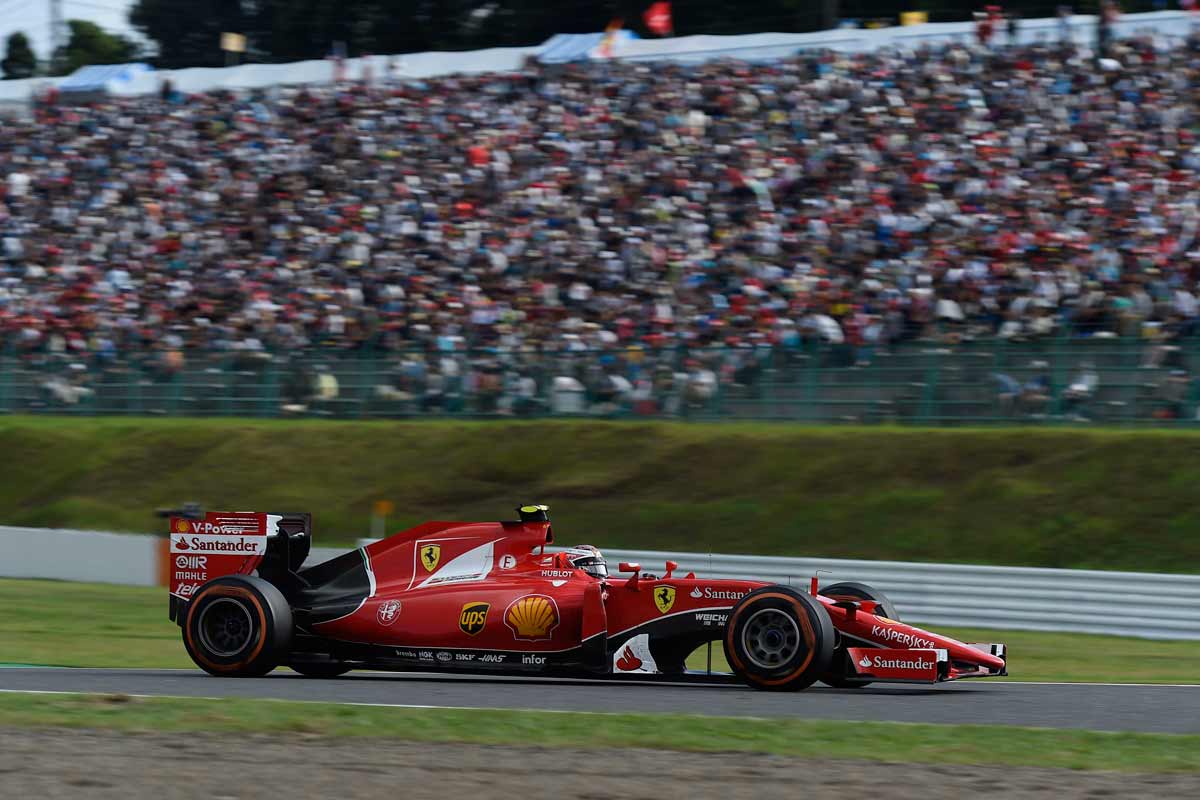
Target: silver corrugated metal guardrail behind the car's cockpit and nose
[{"x": 1081, "y": 601}]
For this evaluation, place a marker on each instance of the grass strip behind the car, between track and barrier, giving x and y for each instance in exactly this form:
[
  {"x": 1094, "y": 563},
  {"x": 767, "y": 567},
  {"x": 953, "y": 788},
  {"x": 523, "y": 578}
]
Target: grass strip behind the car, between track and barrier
[{"x": 95, "y": 625}]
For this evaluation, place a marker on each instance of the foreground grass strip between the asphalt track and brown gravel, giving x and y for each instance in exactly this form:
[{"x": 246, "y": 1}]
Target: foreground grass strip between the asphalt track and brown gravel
[{"x": 799, "y": 738}]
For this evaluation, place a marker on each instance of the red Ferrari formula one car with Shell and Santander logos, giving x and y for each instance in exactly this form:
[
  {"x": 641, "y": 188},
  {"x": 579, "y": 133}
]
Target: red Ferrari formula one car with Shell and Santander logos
[{"x": 489, "y": 598}]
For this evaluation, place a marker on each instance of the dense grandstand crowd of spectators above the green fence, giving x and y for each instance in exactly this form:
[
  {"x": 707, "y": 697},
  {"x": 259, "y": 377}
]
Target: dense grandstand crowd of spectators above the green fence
[{"x": 860, "y": 201}]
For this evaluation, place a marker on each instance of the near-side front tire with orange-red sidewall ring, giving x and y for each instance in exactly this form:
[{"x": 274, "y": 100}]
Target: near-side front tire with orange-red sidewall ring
[{"x": 779, "y": 640}]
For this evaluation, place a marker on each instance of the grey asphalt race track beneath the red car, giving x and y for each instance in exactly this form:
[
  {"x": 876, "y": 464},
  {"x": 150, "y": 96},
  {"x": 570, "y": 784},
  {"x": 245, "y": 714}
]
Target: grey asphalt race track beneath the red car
[{"x": 1097, "y": 707}]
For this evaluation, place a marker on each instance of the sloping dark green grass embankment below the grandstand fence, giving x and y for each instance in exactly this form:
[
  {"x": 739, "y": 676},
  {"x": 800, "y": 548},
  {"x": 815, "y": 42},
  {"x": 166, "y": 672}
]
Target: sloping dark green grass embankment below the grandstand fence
[{"x": 1106, "y": 500}]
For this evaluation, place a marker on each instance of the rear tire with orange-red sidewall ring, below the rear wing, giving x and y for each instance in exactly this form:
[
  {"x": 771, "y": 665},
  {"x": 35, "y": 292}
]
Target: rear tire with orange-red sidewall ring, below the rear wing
[{"x": 238, "y": 627}]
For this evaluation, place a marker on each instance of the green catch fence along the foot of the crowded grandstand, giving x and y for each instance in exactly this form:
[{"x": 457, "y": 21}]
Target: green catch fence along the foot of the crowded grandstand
[{"x": 1070, "y": 381}]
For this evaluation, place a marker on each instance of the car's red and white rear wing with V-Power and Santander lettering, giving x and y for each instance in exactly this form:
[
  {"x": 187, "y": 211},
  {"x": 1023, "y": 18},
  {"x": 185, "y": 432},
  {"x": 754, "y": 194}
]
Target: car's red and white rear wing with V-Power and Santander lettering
[{"x": 209, "y": 545}]
